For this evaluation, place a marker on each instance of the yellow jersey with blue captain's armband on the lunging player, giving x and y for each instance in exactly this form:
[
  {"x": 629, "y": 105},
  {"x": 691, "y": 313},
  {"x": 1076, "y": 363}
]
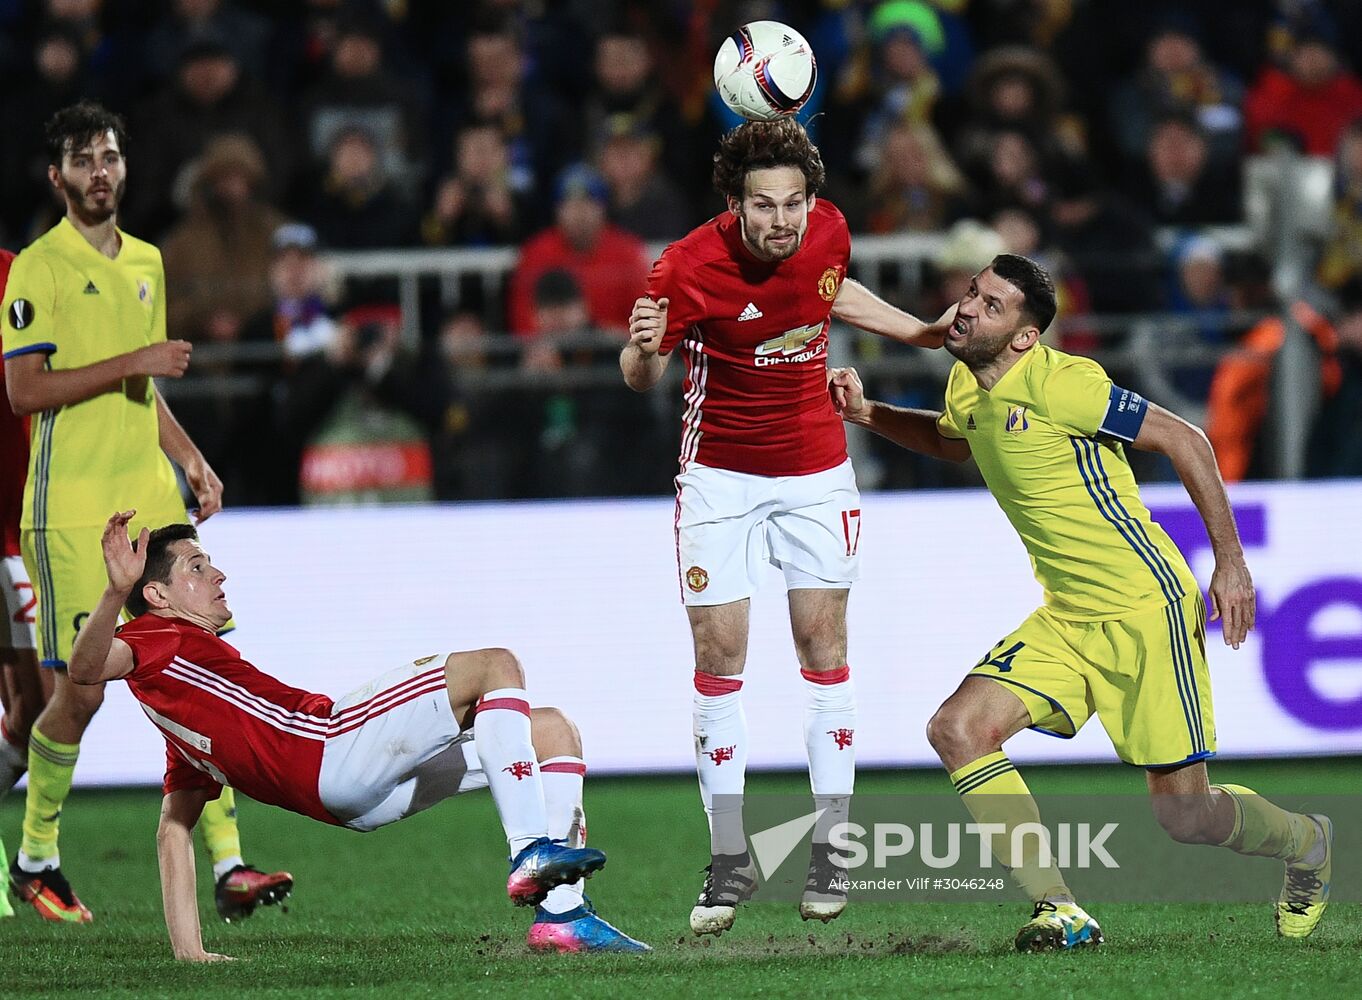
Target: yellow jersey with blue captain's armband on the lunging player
[{"x": 1048, "y": 441}]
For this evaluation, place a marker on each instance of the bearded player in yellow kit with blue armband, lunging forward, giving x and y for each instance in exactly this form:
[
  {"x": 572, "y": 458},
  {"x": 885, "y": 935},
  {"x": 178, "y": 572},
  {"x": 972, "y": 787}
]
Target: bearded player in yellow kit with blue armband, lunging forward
[{"x": 1123, "y": 629}]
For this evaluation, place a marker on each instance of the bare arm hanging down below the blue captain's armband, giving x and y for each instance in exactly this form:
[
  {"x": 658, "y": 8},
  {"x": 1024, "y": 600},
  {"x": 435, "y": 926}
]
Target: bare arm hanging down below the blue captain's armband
[{"x": 1191, "y": 454}]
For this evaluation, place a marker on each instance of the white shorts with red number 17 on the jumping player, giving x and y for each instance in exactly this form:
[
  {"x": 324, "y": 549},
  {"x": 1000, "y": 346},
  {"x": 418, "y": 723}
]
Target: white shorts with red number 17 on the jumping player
[{"x": 731, "y": 527}]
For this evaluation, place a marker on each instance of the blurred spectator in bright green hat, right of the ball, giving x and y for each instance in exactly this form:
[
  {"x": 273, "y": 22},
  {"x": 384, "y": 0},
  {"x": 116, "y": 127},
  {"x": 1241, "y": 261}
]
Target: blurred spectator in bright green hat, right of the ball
[{"x": 893, "y": 82}]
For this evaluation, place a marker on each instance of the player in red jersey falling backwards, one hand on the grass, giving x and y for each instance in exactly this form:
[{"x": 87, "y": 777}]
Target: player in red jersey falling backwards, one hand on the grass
[{"x": 402, "y": 743}]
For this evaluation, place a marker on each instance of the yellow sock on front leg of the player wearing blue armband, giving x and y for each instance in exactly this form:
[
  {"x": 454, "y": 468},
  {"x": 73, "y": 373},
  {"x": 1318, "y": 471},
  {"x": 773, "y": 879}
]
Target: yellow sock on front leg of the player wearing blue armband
[{"x": 994, "y": 792}]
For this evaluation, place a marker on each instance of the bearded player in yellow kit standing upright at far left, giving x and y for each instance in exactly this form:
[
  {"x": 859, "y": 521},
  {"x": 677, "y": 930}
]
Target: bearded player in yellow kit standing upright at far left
[{"x": 84, "y": 337}]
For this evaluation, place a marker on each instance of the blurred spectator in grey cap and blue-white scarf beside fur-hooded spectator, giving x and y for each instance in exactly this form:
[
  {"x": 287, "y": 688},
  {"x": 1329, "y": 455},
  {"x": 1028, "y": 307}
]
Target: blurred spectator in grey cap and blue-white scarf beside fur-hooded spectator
[{"x": 299, "y": 315}]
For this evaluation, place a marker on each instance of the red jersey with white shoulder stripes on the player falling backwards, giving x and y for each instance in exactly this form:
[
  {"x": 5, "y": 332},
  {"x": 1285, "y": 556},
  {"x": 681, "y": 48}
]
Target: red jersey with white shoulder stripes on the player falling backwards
[{"x": 227, "y": 723}]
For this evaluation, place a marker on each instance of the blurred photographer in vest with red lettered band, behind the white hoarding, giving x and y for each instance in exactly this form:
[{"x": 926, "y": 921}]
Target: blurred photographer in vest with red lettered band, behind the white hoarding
[{"x": 349, "y": 408}]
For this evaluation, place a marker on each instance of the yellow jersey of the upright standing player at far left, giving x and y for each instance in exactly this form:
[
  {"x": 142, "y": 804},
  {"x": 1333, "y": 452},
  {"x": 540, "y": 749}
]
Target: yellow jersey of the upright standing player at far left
[{"x": 78, "y": 307}]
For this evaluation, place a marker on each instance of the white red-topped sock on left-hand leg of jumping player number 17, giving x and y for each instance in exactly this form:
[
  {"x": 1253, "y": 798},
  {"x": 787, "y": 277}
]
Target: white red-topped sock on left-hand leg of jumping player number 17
[{"x": 721, "y": 758}]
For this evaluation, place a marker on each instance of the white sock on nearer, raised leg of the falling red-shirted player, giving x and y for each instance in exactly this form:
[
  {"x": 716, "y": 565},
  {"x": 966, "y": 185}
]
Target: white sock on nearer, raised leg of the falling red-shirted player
[{"x": 502, "y": 732}]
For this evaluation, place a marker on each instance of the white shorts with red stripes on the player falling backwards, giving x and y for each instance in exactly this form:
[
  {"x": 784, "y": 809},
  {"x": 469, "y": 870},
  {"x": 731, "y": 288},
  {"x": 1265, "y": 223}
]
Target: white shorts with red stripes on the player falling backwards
[{"x": 398, "y": 750}]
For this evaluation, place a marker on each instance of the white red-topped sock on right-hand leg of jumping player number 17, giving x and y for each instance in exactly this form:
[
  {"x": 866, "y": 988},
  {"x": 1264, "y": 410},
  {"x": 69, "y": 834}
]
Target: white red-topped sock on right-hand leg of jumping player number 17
[{"x": 829, "y": 731}]
